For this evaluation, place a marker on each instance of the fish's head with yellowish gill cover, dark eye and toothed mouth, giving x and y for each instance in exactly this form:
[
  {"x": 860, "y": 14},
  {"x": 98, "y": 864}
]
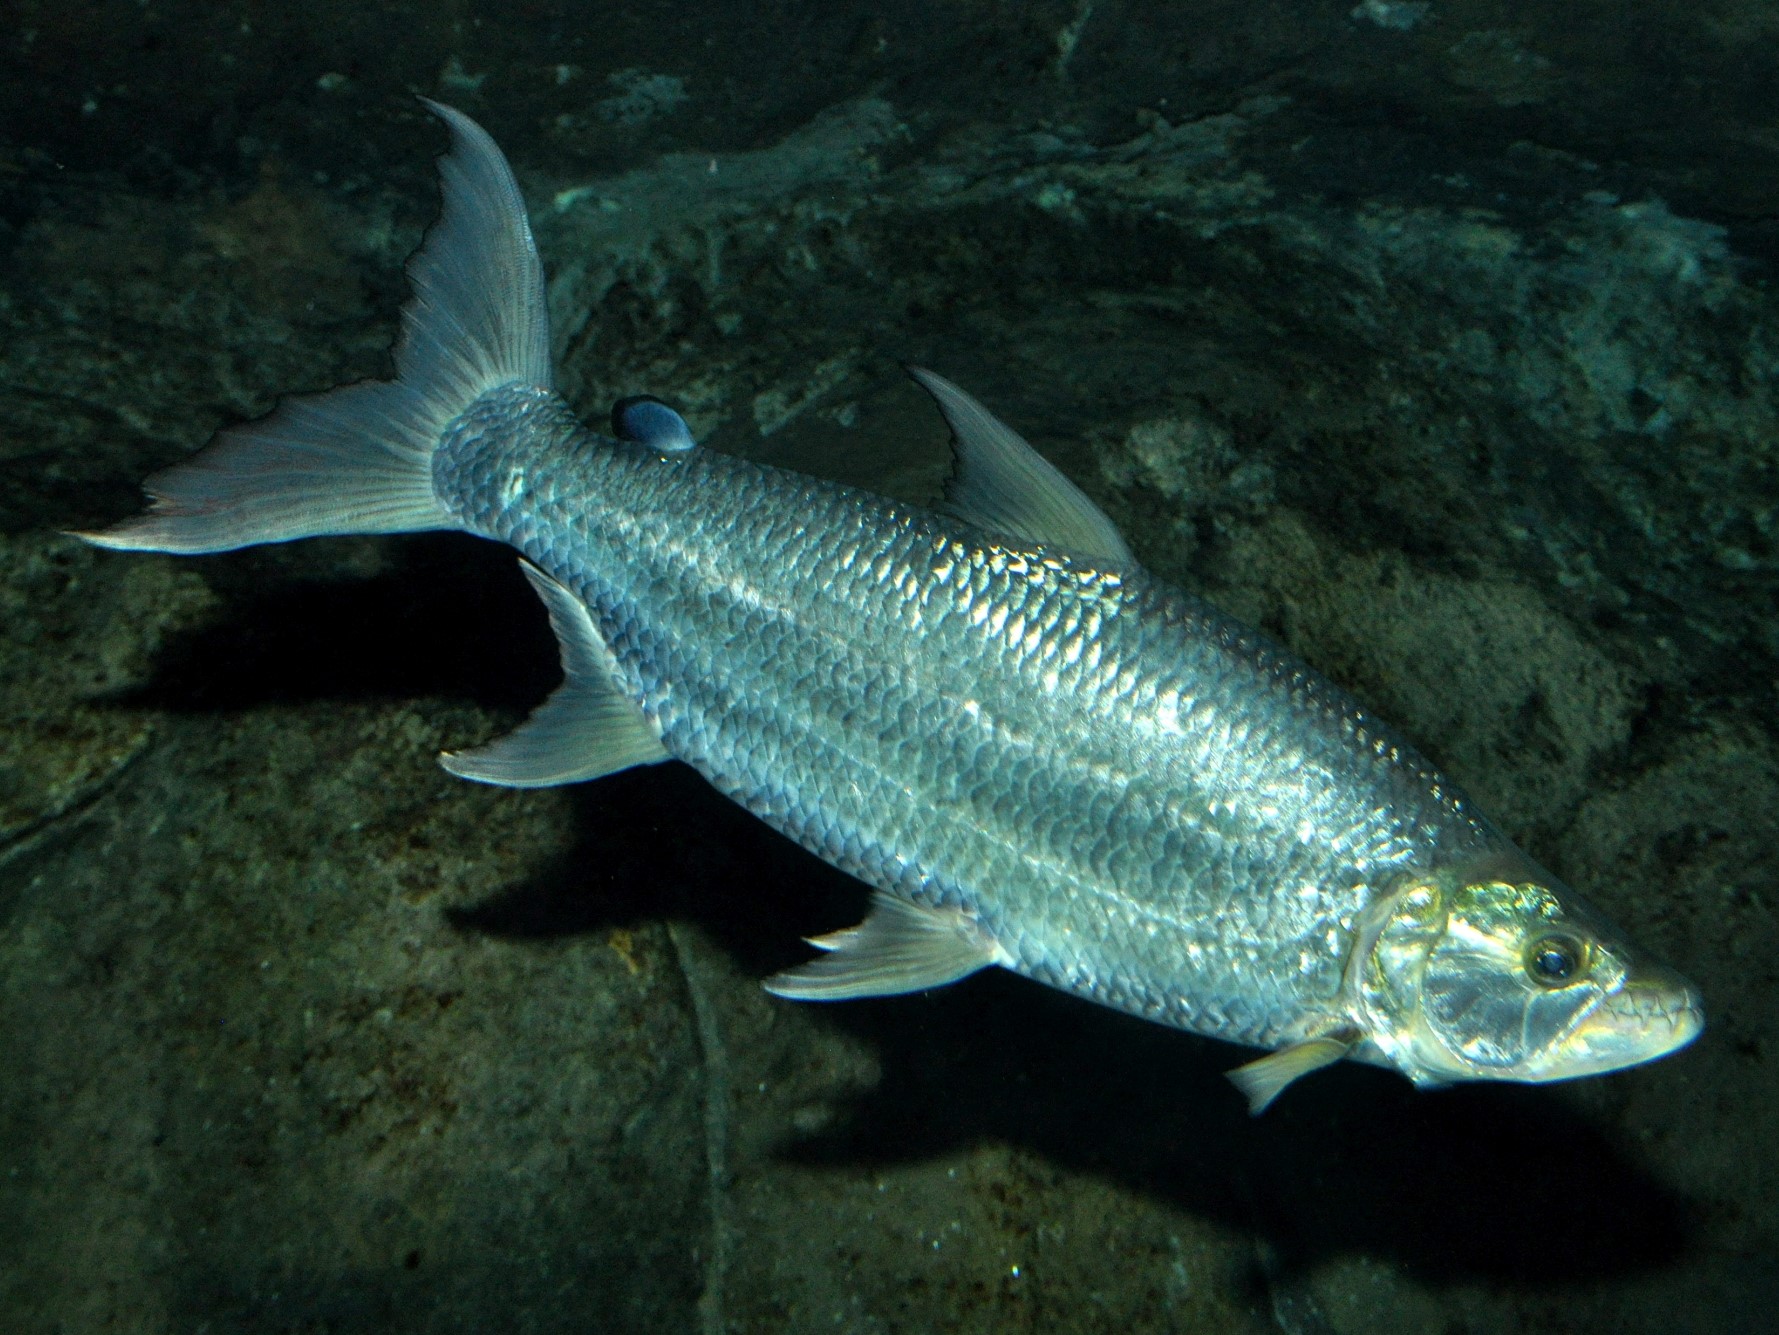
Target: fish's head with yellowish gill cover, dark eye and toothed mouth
[{"x": 1511, "y": 978}]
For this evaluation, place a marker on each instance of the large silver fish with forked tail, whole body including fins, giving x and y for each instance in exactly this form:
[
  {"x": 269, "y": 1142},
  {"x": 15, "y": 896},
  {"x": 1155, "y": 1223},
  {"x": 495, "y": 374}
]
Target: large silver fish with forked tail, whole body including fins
[{"x": 1038, "y": 754}]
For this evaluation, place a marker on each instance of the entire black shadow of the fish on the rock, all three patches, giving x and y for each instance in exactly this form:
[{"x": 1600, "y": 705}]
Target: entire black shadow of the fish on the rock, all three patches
[{"x": 1501, "y": 1185}]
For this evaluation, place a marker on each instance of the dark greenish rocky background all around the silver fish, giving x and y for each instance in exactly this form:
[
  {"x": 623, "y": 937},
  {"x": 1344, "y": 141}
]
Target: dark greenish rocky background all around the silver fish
[{"x": 1437, "y": 339}]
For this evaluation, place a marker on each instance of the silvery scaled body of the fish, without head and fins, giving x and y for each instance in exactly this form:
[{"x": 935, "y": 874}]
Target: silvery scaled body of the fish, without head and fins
[{"x": 972, "y": 725}]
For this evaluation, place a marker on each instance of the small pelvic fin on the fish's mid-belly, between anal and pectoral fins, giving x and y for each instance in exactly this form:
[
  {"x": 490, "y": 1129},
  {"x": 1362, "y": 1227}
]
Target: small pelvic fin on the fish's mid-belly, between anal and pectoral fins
[{"x": 899, "y": 948}]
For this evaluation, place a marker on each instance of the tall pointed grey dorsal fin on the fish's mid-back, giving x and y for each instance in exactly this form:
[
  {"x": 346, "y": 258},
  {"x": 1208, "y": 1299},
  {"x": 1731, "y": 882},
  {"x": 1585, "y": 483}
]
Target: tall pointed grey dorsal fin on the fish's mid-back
[{"x": 1008, "y": 489}]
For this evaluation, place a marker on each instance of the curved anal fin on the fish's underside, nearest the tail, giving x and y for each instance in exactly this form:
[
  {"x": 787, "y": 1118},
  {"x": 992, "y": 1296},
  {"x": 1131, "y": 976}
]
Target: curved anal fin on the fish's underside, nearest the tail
[{"x": 588, "y": 729}]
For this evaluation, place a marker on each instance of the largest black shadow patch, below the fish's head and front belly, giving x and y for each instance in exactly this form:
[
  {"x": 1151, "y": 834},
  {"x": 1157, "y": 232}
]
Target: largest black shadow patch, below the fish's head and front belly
[{"x": 1499, "y": 1185}]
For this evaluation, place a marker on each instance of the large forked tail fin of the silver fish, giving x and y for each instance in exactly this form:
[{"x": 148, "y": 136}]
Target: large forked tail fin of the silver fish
[{"x": 360, "y": 458}]
